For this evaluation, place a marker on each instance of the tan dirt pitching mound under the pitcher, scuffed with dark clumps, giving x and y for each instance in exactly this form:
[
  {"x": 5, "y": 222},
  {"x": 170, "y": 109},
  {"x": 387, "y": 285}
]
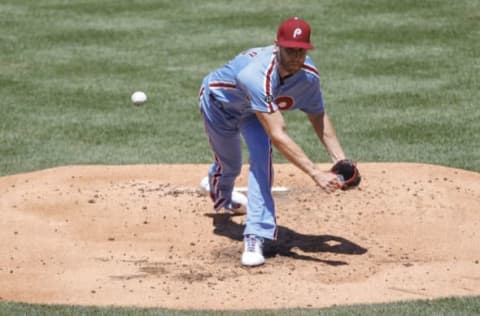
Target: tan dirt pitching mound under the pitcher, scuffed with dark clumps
[{"x": 146, "y": 236}]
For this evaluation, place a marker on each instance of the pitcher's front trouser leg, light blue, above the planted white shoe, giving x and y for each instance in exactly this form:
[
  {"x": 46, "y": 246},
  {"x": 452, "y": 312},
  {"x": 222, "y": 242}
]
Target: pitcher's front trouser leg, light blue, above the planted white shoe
[{"x": 261, "y": 208}]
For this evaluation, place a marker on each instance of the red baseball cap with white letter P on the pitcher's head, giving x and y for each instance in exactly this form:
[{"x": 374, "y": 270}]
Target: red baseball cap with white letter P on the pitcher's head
[{"x": 295, "y": 33}]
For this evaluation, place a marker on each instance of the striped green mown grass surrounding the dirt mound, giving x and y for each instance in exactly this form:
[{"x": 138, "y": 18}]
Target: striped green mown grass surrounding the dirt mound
[{"x": 400, "y": 80}]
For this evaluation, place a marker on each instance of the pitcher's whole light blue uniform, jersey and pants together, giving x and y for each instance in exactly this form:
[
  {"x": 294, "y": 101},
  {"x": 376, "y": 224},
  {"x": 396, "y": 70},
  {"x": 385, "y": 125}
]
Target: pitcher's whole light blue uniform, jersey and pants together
[{"x": 229, "y": 97}]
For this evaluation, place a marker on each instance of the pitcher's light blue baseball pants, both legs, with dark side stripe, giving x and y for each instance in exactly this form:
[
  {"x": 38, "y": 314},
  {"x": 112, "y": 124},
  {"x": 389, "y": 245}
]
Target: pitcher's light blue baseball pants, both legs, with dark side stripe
[{"x": 224, "y": 135}]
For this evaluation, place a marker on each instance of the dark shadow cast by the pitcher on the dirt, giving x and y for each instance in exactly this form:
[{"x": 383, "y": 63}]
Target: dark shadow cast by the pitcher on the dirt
[{"x": 288, "y": 240}]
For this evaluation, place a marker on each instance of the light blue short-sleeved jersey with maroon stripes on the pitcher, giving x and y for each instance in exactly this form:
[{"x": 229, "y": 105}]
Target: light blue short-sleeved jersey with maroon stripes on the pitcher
[{"x": 250, "y": 82}]
